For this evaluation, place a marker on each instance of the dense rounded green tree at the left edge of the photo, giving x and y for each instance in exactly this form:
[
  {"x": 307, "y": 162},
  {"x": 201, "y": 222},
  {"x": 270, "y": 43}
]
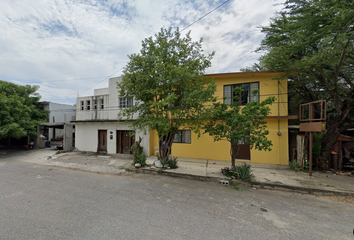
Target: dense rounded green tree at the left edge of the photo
[{"x": 19, "y": 111}]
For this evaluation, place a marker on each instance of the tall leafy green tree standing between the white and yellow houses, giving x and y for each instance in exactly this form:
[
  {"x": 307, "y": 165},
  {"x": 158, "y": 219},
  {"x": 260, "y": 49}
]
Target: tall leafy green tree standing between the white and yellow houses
[{"x": 168, "y": 85}]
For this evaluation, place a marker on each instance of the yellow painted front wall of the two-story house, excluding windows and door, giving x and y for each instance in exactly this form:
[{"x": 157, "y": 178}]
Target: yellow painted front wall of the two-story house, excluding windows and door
[{"x": 206, "y": 148}]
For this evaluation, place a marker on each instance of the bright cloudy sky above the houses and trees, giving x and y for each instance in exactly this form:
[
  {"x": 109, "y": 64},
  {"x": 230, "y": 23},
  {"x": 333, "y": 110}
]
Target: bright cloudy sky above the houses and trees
[{"x": 71, "y": 47}]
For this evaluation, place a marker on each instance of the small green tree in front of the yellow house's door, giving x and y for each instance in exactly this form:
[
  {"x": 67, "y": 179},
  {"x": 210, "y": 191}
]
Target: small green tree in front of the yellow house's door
[{"x": 239, "y": 125}]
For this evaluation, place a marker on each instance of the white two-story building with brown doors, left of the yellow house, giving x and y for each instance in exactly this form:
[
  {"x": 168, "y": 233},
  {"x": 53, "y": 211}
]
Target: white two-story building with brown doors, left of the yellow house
[{"x": 97, "y": 125}]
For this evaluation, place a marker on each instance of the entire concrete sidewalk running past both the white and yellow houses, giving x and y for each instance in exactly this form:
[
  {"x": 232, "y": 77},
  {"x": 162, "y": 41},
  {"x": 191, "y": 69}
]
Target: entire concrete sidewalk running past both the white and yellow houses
[{"x": 265, "y": 176}]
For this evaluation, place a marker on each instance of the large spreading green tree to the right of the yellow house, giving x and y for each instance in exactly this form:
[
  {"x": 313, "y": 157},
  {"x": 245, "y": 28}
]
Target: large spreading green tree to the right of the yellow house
[{"x": 312, "y": 41}]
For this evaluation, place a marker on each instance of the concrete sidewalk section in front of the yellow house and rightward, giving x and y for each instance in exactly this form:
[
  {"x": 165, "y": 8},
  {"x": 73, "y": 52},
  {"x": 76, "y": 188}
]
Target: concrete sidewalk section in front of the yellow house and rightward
[{"x": 266, "y": 176}]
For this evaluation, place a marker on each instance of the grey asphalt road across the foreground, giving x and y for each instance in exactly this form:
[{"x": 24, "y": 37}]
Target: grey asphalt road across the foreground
[{"x": 41, "y": 202}]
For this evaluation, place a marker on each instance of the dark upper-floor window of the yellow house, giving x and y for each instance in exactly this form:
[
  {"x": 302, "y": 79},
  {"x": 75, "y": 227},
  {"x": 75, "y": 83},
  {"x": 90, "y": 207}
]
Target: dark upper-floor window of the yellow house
[{"x": 246, "y": 95}]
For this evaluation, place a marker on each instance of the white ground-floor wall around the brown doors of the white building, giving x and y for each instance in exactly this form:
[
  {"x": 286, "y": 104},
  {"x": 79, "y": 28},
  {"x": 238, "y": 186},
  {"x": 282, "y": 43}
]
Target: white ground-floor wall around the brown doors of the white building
[{"x": 86, "y": 136}]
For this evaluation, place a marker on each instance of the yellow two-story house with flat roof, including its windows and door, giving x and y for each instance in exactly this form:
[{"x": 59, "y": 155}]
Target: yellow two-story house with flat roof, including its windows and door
[{"x": 188, "y": 145}]
